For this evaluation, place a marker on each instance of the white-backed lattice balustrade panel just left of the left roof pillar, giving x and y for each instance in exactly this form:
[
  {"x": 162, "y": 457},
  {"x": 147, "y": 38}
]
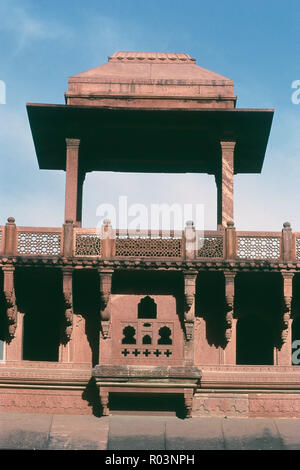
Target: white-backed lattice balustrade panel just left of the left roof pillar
[{"x": 39, "y": 243}]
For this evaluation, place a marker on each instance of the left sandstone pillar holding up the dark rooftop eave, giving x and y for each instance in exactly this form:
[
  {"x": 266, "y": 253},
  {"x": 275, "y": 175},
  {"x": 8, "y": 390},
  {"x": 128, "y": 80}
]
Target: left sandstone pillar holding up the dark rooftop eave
[{"x": 74, "y": 182}]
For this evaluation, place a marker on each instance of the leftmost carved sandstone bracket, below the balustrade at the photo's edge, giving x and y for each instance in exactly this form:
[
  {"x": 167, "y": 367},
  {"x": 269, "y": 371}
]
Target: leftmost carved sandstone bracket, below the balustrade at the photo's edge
[{"x": 10, "y": 300}]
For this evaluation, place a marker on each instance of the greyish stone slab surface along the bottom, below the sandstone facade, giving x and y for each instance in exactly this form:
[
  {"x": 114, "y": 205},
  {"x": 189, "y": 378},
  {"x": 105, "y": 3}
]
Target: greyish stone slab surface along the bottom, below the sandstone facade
[{"x": 69, "y": 432}]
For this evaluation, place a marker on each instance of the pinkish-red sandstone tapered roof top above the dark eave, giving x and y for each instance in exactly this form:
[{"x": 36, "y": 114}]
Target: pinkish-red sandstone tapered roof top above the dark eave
[{"x": 151, "y": 80}]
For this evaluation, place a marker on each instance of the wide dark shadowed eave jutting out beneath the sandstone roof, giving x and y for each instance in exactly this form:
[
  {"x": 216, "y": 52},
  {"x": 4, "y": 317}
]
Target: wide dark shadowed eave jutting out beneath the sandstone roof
[{"x": 149, "y": 140}]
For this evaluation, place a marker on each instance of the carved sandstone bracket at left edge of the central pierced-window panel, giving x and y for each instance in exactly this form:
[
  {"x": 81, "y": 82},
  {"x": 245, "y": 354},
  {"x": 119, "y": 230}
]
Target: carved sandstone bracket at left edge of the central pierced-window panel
[{"x": 105, "y": 278}]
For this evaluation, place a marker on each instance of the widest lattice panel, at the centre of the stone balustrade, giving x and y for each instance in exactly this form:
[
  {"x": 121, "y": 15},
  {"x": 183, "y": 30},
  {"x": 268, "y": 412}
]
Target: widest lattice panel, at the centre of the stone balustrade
[{"x": 142, "y": 246}]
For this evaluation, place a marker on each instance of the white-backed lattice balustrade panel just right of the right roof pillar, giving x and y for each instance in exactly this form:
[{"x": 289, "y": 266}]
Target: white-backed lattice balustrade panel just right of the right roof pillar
[{"x": 258, "y": 247}]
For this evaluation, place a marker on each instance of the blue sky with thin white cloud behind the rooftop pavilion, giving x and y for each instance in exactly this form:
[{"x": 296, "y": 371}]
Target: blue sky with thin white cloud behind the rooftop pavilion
[{"x": 256, "y": 44}]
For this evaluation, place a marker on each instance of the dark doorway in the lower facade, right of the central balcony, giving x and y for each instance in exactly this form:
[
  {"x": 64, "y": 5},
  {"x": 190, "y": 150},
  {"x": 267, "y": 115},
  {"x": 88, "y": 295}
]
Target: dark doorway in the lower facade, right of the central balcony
[{"x": 254, "y": 341}]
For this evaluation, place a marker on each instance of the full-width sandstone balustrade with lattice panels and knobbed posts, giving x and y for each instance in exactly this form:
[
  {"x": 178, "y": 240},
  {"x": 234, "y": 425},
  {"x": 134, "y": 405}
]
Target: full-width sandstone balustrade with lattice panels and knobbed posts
[{"x": 190, "y": 244}]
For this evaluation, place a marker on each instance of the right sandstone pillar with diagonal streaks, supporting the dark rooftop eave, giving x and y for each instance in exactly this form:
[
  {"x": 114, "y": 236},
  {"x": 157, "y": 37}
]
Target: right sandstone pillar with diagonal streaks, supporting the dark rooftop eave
[{"x": 224, "y": 181}]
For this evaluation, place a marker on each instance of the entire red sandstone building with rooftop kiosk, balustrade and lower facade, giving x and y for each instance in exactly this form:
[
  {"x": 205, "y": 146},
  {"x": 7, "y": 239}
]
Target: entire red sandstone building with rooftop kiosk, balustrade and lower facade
[{"x": 99, "y": 322}]
